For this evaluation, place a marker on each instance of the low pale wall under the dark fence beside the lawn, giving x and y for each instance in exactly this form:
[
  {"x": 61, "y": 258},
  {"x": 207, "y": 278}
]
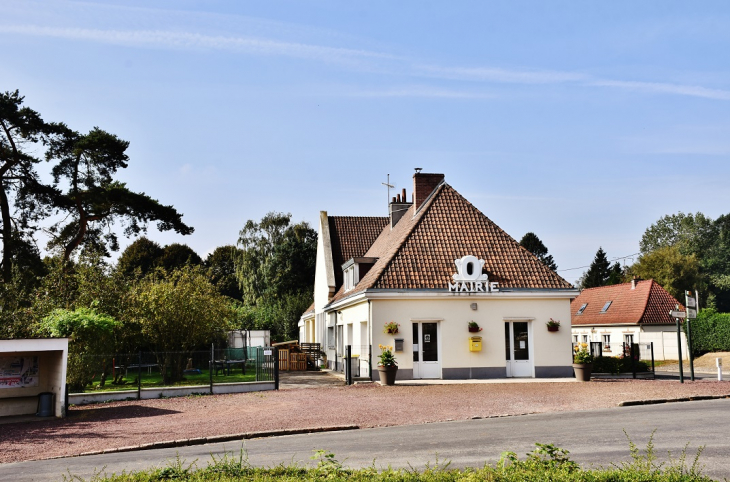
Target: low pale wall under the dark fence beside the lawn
[{"x": 150, "y": 393}]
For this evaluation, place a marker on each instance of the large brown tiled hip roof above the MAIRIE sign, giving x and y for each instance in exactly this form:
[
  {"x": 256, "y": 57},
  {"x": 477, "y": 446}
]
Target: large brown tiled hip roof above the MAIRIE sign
[{"x": 419, "y": 252}]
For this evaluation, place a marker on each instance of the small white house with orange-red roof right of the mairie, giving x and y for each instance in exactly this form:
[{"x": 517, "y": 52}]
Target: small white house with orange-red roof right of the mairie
[{"x": 636, "y": 312}]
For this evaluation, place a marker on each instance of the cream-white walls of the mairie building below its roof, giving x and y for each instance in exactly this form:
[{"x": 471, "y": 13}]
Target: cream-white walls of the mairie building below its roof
[{"x": 442, "y": 321}]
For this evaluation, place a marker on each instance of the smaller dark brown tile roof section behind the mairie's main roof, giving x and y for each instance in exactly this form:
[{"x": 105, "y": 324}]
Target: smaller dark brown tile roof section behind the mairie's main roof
[{"x": 351, "y": 237}]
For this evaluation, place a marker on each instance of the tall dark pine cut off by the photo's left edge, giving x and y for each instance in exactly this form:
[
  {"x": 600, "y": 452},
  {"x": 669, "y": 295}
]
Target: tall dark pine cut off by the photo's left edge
[{"x": 23, "y": 198}]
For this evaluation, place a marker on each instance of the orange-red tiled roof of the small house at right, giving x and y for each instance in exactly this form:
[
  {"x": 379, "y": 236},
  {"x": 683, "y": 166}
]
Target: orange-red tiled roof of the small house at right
[{"x": 647, "y": 303}]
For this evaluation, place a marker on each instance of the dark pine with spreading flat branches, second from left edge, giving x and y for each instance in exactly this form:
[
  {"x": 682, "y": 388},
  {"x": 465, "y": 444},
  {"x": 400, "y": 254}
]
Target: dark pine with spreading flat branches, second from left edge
[{"x": 93, "y": 201}]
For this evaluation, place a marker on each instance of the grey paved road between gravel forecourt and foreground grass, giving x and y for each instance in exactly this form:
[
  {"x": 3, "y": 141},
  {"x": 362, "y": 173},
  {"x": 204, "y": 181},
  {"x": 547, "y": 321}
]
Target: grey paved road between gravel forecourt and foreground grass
[{"x": 593, "y": 437}]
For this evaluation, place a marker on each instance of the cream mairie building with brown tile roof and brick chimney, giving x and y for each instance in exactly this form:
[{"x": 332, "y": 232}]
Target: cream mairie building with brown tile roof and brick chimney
[{"x": 435, "y": 264}]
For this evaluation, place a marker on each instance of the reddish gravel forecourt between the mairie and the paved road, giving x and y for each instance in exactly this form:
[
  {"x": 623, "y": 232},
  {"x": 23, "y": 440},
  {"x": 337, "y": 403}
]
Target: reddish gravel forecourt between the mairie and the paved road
[{"x": 122, "y": 424}]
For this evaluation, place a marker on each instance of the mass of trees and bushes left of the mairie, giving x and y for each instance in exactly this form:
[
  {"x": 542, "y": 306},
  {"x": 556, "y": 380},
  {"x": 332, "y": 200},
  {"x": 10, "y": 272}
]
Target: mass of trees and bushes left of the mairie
[{"x": 163, "y": 299}]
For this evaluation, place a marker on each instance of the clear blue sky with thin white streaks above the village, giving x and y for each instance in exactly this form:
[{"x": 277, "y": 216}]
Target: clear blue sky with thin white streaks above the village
[{"x": 583, "y": 122}]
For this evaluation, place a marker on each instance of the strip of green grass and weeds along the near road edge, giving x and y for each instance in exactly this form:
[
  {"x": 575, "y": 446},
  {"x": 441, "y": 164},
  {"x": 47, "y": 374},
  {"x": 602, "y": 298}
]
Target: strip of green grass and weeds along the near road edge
[{"x": 545, "y": 463}]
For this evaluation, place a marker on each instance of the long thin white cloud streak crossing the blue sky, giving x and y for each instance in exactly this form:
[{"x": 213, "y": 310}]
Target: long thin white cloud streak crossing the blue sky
[{"x": 358, "y": 58}]
